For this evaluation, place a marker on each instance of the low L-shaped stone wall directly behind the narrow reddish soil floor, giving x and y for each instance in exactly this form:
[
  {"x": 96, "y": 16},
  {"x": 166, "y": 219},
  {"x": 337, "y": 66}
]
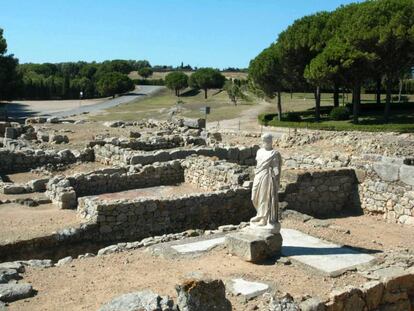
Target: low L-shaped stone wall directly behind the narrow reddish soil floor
[{"x": 203, "y": 172}]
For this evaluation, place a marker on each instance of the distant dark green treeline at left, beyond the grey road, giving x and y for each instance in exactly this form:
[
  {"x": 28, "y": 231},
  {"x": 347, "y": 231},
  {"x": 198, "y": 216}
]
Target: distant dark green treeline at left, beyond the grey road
[{"x": 67, "y": 80}]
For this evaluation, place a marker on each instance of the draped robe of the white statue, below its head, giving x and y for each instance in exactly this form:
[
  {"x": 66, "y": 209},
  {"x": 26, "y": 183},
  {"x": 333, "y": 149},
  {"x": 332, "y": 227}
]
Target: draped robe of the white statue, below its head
[{"x": 265, "y": 187}]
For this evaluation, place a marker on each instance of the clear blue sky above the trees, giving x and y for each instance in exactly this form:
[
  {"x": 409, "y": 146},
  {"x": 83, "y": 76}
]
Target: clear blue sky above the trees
[{"x": 216, "y": 33}]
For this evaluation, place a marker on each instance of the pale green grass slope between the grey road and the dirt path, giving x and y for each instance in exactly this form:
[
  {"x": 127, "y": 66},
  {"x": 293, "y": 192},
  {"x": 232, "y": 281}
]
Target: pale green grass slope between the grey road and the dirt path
[{"x": 159, "y": 106}]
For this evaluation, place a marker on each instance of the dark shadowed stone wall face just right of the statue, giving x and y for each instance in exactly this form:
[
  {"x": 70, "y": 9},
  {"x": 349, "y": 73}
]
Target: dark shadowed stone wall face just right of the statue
[{"x": 320, "y": 193}]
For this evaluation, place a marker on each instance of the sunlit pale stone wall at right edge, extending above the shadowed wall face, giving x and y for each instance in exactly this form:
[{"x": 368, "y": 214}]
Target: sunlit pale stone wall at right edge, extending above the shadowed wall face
[{"x": 386, "y": 184}]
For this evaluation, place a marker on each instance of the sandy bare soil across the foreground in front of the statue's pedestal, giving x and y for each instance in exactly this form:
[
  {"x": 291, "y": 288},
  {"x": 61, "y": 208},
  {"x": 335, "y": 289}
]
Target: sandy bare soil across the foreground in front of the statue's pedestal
[{"x": 88, "y": 283}]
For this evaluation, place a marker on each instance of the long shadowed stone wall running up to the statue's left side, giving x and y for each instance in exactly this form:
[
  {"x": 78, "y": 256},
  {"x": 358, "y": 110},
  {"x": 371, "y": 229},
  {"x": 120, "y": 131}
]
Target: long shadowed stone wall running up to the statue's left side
[{"x": 136, "y": 219}]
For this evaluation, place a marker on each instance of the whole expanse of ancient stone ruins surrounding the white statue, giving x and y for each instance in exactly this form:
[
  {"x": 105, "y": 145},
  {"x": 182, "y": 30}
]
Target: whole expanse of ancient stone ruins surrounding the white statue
[{"x": 177, "y": 191}]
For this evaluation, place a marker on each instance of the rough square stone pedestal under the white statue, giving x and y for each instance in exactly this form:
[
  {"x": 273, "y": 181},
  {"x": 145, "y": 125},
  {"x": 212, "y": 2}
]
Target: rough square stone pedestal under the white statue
[{"x": 254, "y": 245}]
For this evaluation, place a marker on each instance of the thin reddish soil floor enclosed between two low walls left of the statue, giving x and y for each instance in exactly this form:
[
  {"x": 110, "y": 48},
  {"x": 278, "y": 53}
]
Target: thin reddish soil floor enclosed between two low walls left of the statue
[{"x": 153, "y": 192}]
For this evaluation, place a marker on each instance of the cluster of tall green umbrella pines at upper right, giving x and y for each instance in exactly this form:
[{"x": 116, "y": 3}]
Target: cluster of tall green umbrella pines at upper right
[{"x": 362, "y": 45}]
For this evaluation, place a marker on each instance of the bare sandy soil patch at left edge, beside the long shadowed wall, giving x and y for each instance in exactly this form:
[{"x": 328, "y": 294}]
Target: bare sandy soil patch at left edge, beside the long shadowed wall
[{"x": 21, "y": 223}]
